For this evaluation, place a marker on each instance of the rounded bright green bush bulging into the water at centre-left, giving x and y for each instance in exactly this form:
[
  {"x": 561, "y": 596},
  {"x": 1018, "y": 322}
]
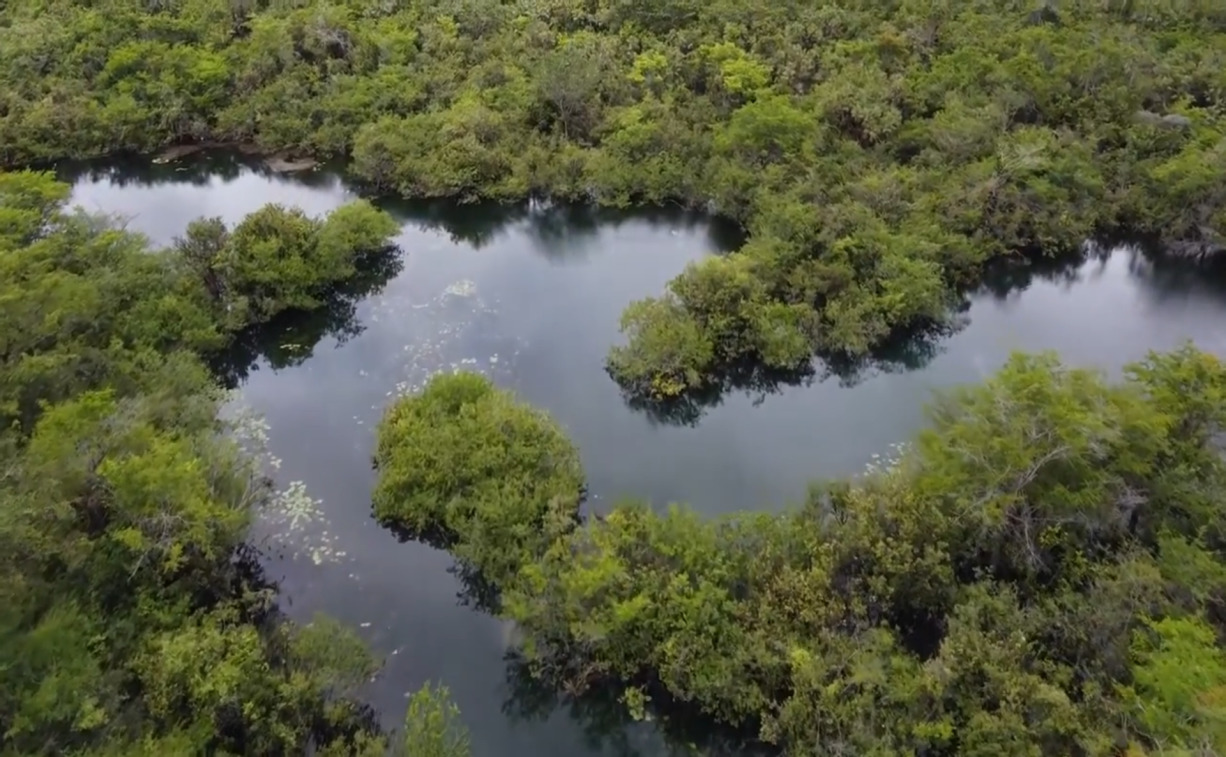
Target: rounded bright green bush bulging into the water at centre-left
[{"x": 465, "y": 467}]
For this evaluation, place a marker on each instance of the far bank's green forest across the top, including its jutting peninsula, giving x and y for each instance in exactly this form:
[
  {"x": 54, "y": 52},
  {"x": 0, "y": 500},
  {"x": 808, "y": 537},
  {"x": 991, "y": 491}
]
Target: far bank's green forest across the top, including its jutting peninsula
[{"x": 878, "y": 153}]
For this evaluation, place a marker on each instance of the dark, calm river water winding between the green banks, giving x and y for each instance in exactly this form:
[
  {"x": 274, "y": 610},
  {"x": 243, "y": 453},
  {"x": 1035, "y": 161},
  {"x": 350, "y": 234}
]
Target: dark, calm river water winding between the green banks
[{"x": 533, "y": 296}]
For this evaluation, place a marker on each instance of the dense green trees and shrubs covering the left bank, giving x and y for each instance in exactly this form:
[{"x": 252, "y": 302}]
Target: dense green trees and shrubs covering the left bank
[{"x": 133, "y": 618}]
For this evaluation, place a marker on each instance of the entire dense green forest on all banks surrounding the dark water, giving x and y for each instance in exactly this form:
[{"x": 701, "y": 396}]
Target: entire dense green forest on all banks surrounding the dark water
[{"x": 1041, "y": 572}]
